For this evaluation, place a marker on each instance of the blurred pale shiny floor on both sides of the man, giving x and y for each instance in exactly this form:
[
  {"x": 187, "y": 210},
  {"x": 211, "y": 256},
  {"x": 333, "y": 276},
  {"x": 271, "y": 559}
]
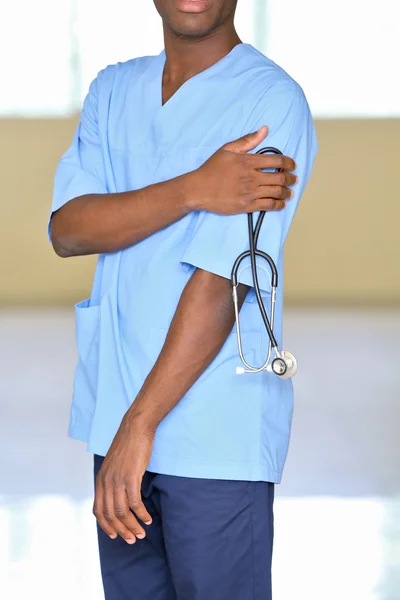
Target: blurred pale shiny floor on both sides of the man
[{"x": 337, "y": 511}]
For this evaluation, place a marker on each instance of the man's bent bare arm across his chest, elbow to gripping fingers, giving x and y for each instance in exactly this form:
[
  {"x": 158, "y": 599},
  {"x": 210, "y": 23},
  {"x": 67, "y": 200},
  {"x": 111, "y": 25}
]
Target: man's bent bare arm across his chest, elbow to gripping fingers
[{"x": 103, "y": 223}]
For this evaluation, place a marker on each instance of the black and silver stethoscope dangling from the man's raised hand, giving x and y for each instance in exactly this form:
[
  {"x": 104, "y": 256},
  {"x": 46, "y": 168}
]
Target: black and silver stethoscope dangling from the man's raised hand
[{"x": 284, "y": 364}]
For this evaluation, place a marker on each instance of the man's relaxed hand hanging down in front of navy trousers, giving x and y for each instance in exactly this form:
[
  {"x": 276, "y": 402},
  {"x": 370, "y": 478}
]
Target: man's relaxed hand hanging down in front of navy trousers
[{"x": 118, "y": 505}]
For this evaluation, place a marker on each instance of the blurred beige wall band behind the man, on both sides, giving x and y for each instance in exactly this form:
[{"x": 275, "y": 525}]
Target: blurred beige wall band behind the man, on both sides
[{"x": 343, "y": 247}]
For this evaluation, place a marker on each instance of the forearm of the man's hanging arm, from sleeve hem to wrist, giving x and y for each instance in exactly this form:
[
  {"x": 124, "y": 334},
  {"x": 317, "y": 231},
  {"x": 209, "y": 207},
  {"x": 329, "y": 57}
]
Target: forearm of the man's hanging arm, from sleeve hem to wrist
[{"x": 202, "y": 322}]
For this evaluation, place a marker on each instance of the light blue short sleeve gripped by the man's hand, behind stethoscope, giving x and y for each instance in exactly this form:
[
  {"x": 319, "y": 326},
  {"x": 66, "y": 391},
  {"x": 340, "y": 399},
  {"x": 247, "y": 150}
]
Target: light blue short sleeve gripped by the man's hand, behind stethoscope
[{"x": 217, "y": 240}]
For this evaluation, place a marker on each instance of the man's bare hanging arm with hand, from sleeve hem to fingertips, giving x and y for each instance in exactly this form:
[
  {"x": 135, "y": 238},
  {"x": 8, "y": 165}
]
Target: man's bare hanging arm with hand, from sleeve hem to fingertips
[{"x": 201, "y": 324}]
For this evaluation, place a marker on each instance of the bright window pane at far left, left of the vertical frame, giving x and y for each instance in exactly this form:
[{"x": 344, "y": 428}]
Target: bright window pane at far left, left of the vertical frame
[{"x": 36, "y": 58}]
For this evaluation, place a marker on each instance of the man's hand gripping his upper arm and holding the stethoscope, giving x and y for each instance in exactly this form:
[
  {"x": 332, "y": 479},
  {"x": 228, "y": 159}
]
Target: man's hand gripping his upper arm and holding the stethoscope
[{"x": 232, "y": 181}]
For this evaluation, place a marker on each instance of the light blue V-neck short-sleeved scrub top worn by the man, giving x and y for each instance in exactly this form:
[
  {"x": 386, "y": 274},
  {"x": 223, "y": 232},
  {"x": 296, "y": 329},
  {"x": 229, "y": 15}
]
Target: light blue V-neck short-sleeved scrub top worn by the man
[{"x": 227, "y": 426}]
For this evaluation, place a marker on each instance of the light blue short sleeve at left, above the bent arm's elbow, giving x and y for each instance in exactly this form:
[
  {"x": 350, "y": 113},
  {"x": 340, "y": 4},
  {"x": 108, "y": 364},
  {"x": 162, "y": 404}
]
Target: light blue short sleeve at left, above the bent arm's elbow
[{"x": 81, "y": 169}]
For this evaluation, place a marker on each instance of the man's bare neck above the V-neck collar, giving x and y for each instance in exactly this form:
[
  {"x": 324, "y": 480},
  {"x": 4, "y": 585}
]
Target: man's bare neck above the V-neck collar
[{"x": 187, "y": 57}]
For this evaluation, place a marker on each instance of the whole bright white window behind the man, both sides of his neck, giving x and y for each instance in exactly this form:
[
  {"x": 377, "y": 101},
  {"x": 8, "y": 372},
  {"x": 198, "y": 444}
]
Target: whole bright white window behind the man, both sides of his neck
[{"x": 343, "y": 53}]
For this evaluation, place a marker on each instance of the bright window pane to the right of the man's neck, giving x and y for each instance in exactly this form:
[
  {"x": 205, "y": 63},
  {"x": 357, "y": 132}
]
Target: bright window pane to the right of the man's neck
[{"x": 344, "y": 53}]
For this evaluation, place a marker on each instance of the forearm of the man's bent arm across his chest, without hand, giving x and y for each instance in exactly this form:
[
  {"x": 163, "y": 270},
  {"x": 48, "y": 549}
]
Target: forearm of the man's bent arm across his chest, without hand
[{"x": 105, "y": 223}]
